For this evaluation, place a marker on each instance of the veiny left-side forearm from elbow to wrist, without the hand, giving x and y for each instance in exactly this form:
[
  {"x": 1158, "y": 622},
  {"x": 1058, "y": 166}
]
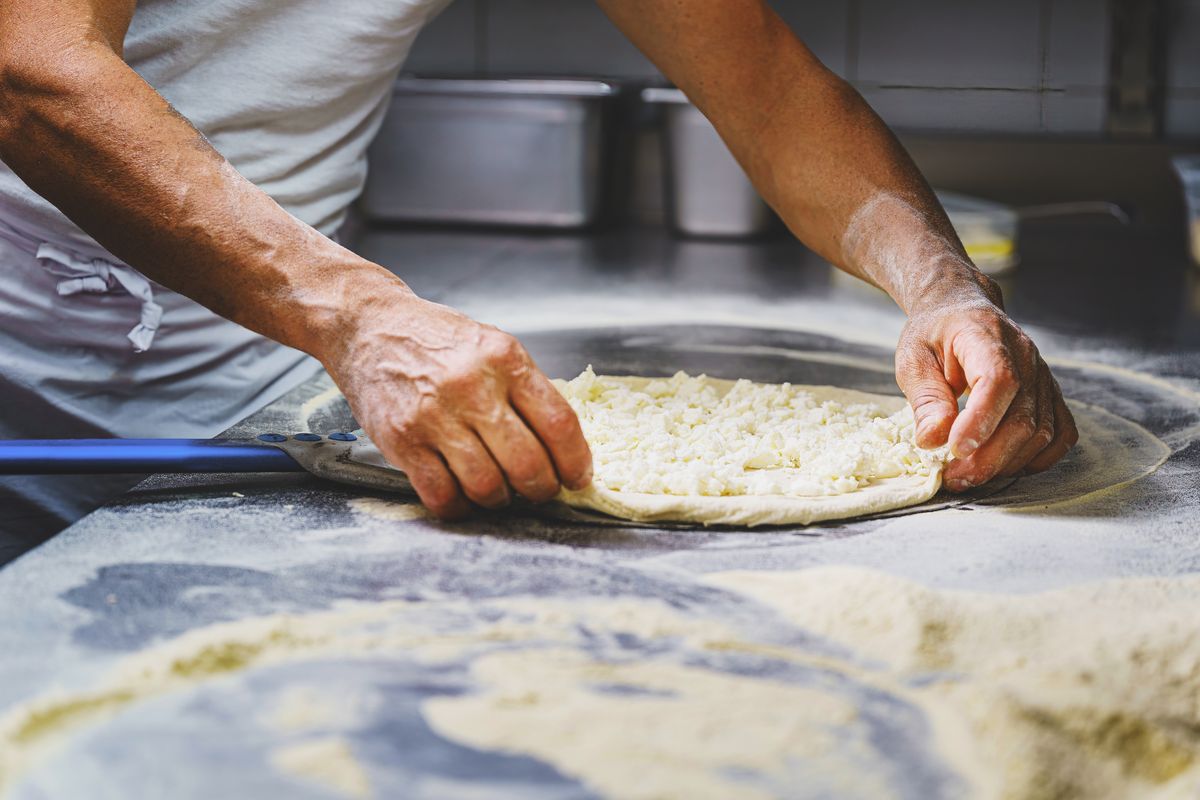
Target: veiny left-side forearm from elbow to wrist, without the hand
[{"x": 105, "y": 148}]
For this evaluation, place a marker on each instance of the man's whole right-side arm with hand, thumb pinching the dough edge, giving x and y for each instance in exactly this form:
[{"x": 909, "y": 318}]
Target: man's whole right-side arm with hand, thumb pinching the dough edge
[{"x": 844, "y": 185}]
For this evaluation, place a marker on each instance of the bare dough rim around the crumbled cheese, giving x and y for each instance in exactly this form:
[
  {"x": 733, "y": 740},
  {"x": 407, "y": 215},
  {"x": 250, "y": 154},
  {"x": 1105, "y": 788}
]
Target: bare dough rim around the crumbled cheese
[{"x": 761, "y": 510}]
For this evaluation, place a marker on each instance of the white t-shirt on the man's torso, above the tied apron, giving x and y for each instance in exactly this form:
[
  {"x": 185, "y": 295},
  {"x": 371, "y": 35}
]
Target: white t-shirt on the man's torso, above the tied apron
[{"x": 290, "y": 93}]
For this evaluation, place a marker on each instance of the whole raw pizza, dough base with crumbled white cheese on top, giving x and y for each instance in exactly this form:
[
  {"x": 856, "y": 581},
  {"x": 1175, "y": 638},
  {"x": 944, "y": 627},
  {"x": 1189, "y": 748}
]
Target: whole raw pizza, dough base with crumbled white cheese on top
[{"x": 712, "y": 452}]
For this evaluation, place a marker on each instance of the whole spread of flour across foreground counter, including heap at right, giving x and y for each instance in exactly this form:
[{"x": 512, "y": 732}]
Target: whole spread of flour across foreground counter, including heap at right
[{"x": 827, "y": 682}]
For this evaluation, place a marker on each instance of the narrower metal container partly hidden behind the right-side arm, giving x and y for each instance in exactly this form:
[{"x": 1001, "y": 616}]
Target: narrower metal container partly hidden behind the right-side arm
[{"x": 707, "y": 194}]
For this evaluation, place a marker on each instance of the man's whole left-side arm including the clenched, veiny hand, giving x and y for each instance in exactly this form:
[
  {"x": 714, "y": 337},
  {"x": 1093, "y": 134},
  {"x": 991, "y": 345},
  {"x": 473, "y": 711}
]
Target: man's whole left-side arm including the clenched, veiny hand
[{"x": 459, "y": 406}]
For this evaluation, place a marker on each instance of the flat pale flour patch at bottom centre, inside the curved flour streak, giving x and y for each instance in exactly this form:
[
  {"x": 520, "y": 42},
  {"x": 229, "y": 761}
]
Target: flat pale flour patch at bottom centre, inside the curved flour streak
[{"x": 661, "y": 731}]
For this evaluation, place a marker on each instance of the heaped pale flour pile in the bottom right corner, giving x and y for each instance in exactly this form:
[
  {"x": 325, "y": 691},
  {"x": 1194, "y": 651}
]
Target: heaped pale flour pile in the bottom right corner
[{"x": 1084, "y": 693}]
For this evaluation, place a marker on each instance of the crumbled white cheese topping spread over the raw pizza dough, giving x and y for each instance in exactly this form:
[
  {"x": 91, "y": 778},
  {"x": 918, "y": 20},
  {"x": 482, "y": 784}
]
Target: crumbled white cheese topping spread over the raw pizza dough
[{"x": 691, "y": 436}]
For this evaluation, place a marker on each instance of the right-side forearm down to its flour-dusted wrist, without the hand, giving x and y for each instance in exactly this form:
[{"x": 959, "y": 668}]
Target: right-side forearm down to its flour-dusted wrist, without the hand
[{"x": 815, "y": 151}]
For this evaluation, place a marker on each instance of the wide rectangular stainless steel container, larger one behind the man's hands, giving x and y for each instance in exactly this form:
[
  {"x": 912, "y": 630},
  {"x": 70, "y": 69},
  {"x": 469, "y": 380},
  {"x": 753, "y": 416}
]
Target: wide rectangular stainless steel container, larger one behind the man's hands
[{"x": 497, "y": 153}]
